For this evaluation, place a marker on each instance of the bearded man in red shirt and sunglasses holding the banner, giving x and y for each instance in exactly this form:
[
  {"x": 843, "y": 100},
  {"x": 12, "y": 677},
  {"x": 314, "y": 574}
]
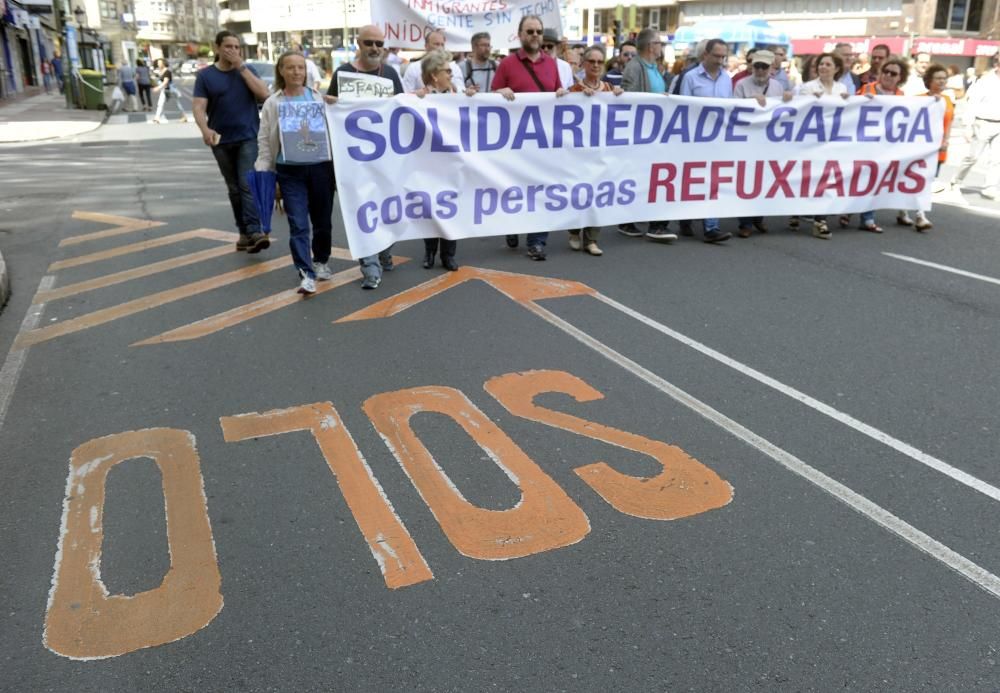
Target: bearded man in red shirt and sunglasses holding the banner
[{"x": 528, "y": 69}]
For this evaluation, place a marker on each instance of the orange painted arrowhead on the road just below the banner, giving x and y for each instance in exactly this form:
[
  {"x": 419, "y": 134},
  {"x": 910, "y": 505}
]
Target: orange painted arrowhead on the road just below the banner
[{"x": 518, "y": 287}]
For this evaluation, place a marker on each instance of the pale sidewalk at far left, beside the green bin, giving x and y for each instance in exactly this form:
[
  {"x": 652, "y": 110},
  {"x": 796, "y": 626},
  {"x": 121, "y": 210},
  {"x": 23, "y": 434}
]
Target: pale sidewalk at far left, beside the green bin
[{"x": 44, "y": 117}]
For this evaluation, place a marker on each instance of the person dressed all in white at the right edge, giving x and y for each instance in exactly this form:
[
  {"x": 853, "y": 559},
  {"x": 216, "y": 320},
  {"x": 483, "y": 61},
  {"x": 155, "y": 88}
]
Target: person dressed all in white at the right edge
[{"x": 982, "y": 130}]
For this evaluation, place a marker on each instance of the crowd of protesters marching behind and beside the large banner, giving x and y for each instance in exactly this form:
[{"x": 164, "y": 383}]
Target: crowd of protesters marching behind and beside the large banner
[{"x": 546, "y": 63}]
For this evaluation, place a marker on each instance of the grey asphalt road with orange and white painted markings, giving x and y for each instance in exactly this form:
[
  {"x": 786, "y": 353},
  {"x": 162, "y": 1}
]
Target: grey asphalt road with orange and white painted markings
[{"x": 825, "y": 520}]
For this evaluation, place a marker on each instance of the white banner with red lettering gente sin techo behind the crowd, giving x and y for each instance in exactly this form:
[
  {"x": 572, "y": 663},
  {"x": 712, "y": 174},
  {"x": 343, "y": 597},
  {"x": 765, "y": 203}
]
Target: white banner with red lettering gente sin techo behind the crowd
[{"x": 407, "y": 22}]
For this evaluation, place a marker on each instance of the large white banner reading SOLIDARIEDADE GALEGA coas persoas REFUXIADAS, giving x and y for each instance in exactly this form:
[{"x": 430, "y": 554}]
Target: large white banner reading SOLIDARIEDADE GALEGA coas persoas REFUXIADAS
[{"x": 454, "y": 166}]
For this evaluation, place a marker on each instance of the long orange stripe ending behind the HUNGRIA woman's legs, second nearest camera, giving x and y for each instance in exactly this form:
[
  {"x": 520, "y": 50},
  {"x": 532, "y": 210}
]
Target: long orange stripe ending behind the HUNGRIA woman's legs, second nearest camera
[{"x": 99, "y": 317}]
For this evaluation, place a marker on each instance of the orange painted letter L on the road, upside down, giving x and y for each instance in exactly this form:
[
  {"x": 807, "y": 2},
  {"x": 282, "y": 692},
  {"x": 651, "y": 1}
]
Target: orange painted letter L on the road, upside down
[{"x": 394, "y": 550}]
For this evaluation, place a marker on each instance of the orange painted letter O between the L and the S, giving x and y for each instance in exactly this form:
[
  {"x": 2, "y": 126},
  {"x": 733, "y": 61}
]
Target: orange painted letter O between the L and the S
[{"x": 545, "y": 518}]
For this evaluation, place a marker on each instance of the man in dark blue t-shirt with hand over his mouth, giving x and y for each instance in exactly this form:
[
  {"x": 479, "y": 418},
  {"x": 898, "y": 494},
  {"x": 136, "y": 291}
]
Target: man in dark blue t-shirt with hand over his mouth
[{"x": 225, "y": 109}]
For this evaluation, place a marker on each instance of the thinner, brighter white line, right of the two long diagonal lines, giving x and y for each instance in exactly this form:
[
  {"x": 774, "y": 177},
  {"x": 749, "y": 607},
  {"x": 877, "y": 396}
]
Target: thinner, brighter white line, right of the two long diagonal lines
[{"x": 846, "y": 419}]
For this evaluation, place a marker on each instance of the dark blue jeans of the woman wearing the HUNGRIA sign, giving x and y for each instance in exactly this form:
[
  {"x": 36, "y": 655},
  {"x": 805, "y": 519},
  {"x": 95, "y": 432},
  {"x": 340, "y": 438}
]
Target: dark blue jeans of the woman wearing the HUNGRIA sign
[{"x": 308, "y": 195}]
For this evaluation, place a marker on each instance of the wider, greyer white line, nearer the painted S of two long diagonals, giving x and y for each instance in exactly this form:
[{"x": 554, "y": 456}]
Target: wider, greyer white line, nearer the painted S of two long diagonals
[{"x": 932, "y": 547}]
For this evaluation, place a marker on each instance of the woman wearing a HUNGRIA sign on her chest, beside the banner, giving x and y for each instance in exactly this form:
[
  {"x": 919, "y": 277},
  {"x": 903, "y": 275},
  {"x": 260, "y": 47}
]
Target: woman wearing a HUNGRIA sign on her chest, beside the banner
[{"x": 293, "y": 140}]
